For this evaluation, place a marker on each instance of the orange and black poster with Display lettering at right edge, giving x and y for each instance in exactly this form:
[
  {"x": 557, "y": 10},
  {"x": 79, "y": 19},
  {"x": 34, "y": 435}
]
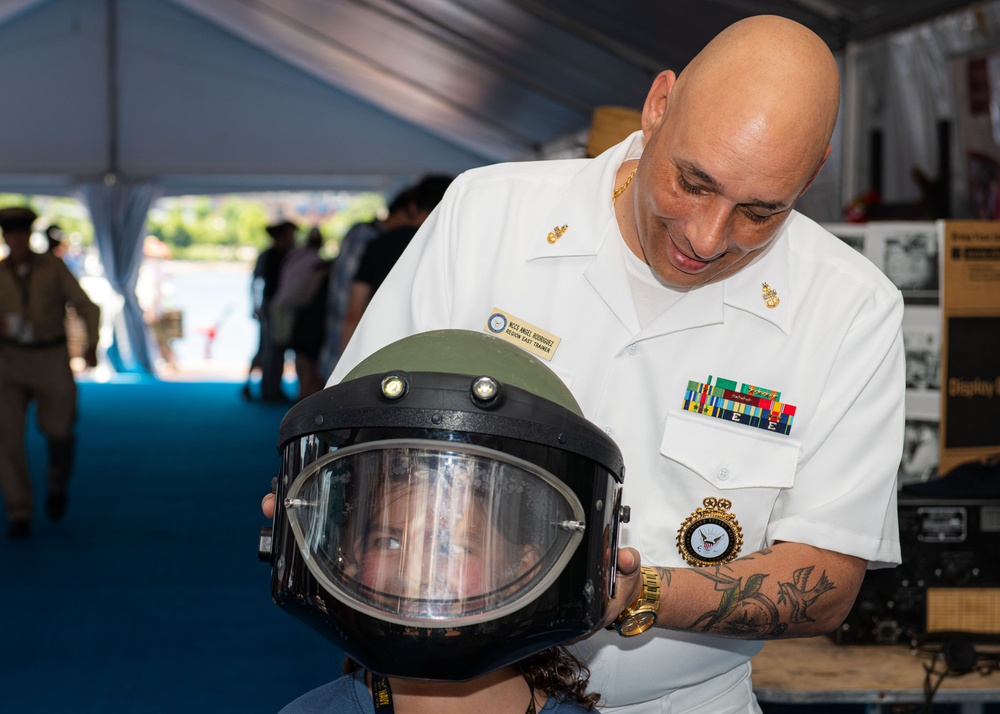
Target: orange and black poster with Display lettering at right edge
[{"x": 970, "y": 341}]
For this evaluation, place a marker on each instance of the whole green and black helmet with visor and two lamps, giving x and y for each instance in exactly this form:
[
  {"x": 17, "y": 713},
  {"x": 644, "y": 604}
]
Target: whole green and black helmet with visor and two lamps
[{"x": 443, "y": 524}]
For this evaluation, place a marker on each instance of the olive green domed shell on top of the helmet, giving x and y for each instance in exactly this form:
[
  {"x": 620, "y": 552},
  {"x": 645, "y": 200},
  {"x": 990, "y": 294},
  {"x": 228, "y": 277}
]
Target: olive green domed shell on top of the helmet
[{"x": 471, "y": 353}]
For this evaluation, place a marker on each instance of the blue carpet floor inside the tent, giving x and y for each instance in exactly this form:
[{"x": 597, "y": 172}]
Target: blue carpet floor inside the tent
[{"x": 149, "y": 596}]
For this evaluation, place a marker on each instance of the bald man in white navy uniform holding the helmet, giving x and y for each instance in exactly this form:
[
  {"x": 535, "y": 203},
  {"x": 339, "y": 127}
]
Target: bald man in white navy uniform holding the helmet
[{"x": 748, "y": 364}]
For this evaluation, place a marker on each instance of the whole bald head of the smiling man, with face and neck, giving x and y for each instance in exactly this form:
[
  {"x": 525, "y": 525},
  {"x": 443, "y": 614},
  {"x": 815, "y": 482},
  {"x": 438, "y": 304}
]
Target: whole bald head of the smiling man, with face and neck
[{"x": 730, "y": 146}]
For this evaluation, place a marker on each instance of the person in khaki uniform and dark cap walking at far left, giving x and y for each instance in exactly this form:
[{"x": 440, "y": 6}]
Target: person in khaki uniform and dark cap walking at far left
[{"x": 34, "y": 365}]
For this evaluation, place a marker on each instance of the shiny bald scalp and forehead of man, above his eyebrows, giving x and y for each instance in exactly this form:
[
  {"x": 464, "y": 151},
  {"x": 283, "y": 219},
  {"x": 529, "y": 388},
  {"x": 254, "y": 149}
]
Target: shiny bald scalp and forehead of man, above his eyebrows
[{"x": 765, "y": 80}]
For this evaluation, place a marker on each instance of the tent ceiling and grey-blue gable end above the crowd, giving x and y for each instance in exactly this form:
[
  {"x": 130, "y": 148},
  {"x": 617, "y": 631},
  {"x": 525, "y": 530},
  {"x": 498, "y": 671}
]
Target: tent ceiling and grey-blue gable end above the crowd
[{"x": 214, "y": 95}]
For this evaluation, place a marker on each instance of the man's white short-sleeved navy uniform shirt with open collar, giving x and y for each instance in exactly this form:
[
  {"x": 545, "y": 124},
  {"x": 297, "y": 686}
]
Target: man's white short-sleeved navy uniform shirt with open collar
[{"x": 832, "y": 348}]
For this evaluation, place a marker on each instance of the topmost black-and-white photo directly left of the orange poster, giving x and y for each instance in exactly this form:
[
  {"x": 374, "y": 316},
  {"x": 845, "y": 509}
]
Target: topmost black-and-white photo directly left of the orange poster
[{"x": 908, "y": 253}]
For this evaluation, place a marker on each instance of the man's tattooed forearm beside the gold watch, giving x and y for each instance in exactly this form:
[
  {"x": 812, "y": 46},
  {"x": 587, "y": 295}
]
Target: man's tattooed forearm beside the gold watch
[{"x": 790, "y": 590}]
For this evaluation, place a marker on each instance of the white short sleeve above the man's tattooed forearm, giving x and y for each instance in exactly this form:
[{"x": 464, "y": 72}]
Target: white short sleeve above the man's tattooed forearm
[{"x": 845, "y": 488}]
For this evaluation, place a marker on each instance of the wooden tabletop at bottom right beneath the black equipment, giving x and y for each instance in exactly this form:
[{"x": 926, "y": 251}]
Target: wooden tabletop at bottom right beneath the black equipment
[{"x": 816, "y": 670}]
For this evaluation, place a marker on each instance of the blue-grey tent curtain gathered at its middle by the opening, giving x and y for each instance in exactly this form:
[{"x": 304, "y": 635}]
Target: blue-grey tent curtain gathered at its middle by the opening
[{"x": 118, "y": 209}]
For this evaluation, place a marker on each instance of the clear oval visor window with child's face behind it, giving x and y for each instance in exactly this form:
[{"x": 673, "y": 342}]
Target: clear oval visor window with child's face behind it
[{"x": 432, "y": 534}]
